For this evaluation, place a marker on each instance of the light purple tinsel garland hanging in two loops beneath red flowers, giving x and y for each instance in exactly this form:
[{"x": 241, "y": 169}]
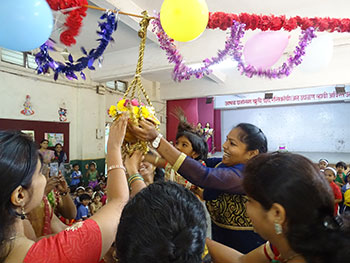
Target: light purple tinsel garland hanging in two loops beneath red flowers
[{"x": 233, "y": 48}]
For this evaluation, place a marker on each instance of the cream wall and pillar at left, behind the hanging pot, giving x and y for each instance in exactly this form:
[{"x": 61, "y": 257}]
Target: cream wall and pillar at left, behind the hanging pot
[{"x": 87, "y": 110}]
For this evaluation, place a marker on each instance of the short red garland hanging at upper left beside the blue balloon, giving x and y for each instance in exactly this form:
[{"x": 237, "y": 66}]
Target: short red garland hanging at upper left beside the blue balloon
[{"x": 74, "y": 18}]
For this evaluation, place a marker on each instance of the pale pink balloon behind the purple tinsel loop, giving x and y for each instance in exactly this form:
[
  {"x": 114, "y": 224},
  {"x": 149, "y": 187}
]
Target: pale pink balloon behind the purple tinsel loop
[{"x": 264, "y": 49}]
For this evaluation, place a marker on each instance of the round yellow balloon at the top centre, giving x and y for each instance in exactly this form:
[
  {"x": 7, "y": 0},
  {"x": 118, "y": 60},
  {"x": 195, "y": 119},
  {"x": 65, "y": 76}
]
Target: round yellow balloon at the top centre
[{"x": 184, "y": 20}]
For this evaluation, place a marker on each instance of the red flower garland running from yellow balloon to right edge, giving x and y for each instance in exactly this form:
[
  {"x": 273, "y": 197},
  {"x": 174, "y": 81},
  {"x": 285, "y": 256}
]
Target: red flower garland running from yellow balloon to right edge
[{"x": 263, "y": 22}]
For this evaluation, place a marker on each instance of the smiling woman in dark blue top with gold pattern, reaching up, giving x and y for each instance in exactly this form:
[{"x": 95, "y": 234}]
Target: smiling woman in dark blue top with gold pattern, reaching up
[{"x": 221, "y": 180}]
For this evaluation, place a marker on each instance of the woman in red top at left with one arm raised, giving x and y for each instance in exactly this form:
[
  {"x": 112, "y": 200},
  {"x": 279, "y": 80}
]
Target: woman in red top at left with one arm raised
[{"x": 23, "y": 188}]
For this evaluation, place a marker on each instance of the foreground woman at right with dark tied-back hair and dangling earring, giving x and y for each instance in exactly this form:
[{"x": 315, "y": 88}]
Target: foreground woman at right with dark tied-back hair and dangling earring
[{"x": 291, "y": 205}]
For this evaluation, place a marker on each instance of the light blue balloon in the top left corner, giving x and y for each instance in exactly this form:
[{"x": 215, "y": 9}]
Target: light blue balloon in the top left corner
[{"x": 24, "y": 24}]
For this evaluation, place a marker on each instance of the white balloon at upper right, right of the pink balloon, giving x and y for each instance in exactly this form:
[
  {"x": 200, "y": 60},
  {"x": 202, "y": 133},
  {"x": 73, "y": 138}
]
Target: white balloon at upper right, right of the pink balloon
[{"x": 318, "y": 54}]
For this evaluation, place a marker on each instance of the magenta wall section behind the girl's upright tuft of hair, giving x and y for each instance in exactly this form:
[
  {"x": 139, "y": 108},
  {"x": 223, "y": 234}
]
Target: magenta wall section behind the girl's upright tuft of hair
[{"x": 190, "y": 107}]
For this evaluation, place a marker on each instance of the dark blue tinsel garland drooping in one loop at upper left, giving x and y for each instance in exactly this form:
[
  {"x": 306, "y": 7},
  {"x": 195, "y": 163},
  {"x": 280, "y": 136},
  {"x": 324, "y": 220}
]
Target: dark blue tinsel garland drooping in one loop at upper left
[{"x": 45, "y": 61}]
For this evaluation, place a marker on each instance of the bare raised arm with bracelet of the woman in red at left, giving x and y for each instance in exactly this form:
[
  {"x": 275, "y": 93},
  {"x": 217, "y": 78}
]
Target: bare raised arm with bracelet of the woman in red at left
[{"x": 118, "y": 193}]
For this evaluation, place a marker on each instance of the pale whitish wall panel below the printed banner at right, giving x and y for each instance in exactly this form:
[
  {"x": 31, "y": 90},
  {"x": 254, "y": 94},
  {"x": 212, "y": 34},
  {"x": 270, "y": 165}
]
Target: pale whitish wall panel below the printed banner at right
[{"x": 314, "y": 130}]
